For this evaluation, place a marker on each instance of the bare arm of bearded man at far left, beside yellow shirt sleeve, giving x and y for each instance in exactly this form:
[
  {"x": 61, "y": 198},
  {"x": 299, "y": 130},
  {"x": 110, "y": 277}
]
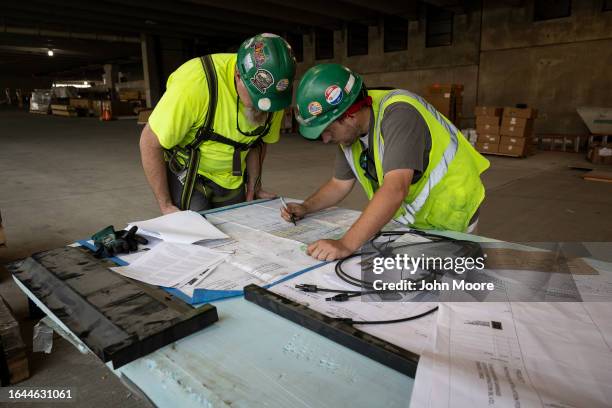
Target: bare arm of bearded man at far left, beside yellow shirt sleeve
[{"x": 152, "y": 156}]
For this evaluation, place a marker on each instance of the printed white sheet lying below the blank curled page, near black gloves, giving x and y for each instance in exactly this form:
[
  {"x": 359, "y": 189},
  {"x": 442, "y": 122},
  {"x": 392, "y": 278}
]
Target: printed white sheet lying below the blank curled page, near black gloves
[{"x": 169, "y": 264}]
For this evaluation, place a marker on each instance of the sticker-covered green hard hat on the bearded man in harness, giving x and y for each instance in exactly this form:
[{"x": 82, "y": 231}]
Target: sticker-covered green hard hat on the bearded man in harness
[{"x": 267, "y": 68}]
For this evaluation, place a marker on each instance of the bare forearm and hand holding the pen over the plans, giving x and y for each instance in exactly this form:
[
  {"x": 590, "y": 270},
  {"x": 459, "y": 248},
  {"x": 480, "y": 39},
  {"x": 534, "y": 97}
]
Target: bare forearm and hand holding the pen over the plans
[{"x": 328, "y": 195}]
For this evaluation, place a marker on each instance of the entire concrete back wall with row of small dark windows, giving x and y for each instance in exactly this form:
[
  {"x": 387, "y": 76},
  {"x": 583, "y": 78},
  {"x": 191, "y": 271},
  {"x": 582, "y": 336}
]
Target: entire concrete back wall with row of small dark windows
[{"x": 502, "y": 58}]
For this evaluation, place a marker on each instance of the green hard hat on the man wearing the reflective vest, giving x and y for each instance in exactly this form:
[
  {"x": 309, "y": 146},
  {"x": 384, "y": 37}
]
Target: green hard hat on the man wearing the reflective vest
[{"x": 325, "y": 92}]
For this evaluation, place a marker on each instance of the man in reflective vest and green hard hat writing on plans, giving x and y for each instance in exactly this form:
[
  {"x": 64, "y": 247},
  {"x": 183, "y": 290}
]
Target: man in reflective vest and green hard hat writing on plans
[{"x": 412, "y": 162}]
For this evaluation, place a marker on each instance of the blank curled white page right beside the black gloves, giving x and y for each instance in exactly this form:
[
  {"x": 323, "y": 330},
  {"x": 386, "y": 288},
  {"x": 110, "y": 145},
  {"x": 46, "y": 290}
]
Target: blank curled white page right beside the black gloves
[{"x": 183, "y": 227}]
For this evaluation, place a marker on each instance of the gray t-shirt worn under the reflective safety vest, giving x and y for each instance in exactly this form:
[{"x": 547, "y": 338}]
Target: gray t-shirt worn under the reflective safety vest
[{"x": 407, "y": 143}]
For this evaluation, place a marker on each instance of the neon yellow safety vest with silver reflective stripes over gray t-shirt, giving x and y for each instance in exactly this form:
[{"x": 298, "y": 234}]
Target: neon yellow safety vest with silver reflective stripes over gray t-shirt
[{"x": 450, "y": 190}]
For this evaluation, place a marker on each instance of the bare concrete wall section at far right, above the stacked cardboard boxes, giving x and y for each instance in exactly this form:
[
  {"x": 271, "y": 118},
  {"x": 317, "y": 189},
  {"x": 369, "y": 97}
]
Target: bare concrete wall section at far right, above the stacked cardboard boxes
[{"x": 553, "y": 65}]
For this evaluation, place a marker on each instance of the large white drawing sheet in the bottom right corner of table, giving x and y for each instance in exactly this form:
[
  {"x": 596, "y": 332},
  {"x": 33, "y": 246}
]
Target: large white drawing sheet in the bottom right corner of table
[{"x": 520, "y": 354}]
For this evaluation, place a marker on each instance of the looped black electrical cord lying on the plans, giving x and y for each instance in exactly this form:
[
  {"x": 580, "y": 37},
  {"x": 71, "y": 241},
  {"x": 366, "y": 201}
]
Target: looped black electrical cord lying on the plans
[{"x": 343, "y": 295}]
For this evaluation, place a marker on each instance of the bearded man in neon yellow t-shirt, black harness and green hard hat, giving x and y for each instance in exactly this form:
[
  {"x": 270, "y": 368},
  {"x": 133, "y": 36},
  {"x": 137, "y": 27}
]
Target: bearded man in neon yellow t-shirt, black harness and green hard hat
[{"x": 213, "y": 123}]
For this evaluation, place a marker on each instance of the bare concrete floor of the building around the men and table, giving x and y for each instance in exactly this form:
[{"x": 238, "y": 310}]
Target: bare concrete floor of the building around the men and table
[{"x": 65, "y": 178}]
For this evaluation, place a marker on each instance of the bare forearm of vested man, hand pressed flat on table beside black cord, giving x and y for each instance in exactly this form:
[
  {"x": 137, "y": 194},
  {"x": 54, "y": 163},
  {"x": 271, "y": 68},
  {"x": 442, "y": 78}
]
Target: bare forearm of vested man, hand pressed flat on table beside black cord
[{"x": 380, "y": 210}]
